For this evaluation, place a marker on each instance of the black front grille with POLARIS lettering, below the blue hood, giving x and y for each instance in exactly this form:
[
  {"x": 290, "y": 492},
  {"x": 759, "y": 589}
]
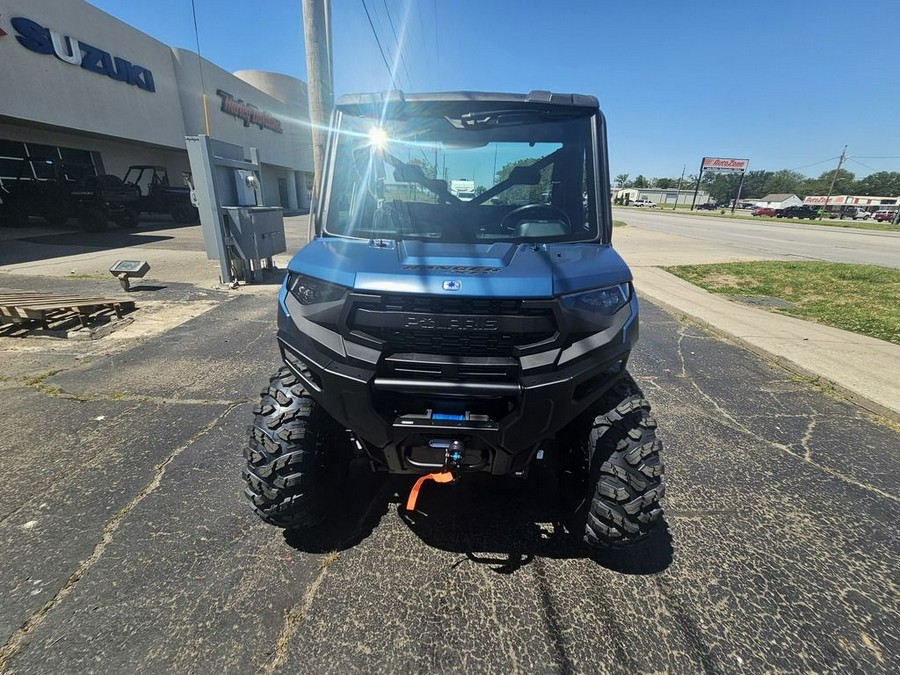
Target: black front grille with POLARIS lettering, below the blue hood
[{"x": 453, "y": 326}]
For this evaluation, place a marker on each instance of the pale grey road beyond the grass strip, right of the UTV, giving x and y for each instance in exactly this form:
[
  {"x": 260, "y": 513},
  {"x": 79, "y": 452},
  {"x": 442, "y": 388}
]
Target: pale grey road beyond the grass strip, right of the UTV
[{"x": 766, "y": 238}]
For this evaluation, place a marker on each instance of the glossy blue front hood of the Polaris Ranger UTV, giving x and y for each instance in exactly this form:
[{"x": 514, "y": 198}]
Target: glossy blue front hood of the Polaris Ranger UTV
[{"x": 471, "y": 270}]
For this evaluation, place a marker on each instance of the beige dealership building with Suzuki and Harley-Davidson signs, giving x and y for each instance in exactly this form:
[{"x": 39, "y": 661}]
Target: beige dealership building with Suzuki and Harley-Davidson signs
[{"x": 80, "y": 85}]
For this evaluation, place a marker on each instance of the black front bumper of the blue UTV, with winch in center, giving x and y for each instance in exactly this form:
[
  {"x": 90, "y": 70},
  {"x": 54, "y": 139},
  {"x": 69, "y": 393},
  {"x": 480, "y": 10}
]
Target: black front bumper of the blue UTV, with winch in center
[{"x": 404, "y": 407}]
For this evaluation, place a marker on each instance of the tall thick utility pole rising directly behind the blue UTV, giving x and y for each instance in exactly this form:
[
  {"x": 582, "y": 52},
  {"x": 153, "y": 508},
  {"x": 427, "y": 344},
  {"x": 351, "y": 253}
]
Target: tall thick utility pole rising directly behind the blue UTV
[{"x": 316, "y": 33}]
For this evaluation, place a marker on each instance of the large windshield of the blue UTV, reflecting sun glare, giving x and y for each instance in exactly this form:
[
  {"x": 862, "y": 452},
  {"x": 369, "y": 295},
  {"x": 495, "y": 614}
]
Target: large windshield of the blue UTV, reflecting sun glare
[{"x": 518, "y": 175}]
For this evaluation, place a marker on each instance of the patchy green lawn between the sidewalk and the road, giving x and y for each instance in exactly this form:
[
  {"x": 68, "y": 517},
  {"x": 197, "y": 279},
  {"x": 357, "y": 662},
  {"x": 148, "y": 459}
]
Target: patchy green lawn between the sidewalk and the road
[{"x": 860, "y": 298}]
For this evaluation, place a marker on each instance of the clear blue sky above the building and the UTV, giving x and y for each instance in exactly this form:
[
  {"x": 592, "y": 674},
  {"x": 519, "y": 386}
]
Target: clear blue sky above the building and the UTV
[{"x": 786, "y": 84}]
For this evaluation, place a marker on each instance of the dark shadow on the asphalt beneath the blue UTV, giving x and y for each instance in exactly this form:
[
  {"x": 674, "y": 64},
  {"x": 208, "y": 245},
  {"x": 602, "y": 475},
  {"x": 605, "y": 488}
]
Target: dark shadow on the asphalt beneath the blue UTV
[{"x": 503, "y": 523}]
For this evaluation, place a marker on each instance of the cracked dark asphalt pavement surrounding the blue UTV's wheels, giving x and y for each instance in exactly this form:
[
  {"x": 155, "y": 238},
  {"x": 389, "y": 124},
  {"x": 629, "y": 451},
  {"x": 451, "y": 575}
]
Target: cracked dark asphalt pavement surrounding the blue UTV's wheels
[{"x": 126, "y": 545}]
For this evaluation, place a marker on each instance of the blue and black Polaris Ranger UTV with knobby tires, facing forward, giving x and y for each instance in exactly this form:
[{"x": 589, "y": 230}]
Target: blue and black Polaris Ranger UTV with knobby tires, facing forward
[{"x": 438, "y": 336}]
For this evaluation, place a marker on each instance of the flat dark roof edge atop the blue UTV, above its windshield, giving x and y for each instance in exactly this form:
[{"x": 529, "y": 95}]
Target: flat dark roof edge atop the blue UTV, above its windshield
[{"x": 377, "y": 102}]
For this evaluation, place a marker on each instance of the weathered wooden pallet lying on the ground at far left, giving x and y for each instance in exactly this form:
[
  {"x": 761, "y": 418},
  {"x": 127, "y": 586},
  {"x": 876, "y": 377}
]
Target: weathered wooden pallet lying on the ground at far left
[{"x": 20, "y": 307}]
